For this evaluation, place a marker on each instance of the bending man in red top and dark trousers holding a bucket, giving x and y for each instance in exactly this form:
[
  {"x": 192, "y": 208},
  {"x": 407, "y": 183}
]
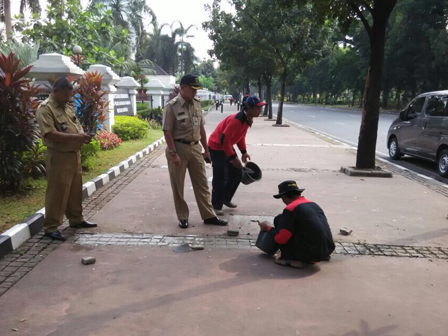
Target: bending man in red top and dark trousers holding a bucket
[{"x": 227, "y": 167}]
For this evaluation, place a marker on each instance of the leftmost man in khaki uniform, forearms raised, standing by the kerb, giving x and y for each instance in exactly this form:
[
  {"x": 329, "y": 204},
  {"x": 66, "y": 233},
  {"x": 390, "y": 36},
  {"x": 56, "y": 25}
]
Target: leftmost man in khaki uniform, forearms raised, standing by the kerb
[{"x": 63, "y": 135}]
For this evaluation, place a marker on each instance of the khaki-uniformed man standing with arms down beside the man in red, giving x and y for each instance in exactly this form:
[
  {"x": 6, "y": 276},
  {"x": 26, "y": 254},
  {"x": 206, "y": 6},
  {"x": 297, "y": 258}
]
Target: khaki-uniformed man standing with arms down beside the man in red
[{"x": 183, "y": 127}]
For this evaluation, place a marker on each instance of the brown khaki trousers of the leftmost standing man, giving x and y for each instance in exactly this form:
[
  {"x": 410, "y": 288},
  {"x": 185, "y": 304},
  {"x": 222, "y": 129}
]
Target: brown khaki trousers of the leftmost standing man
[{"x": 64, "y": 189}]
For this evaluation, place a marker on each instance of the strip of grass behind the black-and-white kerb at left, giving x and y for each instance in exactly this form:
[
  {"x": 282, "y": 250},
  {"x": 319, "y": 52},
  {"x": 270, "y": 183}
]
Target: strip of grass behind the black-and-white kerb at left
[{"x": 14, "y": 209}]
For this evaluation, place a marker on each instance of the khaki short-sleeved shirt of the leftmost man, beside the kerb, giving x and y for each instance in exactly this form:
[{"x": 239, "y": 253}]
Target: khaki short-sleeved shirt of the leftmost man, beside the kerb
[{"x": 54, "y": 117}]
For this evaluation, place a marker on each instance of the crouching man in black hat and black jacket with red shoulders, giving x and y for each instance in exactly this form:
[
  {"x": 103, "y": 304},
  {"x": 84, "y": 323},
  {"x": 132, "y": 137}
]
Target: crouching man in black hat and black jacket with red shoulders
[{"x": 302, "y": 230}]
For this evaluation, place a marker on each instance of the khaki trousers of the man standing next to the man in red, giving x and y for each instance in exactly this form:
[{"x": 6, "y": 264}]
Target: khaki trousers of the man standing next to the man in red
[{"x": 192, "y": 160}]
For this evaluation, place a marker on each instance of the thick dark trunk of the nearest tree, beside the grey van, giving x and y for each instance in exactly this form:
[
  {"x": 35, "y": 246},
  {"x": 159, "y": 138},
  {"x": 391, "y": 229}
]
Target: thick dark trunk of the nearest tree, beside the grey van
[{"x": 370, "y": 114}]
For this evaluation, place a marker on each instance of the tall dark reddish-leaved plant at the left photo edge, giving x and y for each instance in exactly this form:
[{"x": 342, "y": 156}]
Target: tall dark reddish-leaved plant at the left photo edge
[{"x": 18, "y": 126}]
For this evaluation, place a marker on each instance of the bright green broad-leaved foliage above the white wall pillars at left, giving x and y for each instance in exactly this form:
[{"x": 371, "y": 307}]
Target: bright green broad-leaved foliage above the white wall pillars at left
[{"x": 70, "y": 25}]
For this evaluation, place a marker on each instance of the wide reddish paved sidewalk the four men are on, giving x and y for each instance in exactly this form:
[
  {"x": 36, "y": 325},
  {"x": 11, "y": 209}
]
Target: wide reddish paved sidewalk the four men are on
[{"x": 139, "y": 286}]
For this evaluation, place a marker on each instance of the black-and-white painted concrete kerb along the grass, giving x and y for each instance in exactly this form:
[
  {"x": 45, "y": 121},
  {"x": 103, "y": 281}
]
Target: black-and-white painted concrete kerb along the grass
[{"x": 13, "y": 238}]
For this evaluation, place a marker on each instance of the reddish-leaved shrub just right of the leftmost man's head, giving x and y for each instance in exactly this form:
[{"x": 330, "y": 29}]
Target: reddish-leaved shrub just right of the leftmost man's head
[{"x": 91, "y": 105}]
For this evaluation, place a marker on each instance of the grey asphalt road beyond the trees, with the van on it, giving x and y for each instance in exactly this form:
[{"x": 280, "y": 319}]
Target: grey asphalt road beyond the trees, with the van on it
[{"x": 344, "y": 126}]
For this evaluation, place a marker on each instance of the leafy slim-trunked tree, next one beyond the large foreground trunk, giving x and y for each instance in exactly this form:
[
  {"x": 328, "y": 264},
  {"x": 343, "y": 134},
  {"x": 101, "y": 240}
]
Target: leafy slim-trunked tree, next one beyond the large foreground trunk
[{"x": 289, "y": 37}]
